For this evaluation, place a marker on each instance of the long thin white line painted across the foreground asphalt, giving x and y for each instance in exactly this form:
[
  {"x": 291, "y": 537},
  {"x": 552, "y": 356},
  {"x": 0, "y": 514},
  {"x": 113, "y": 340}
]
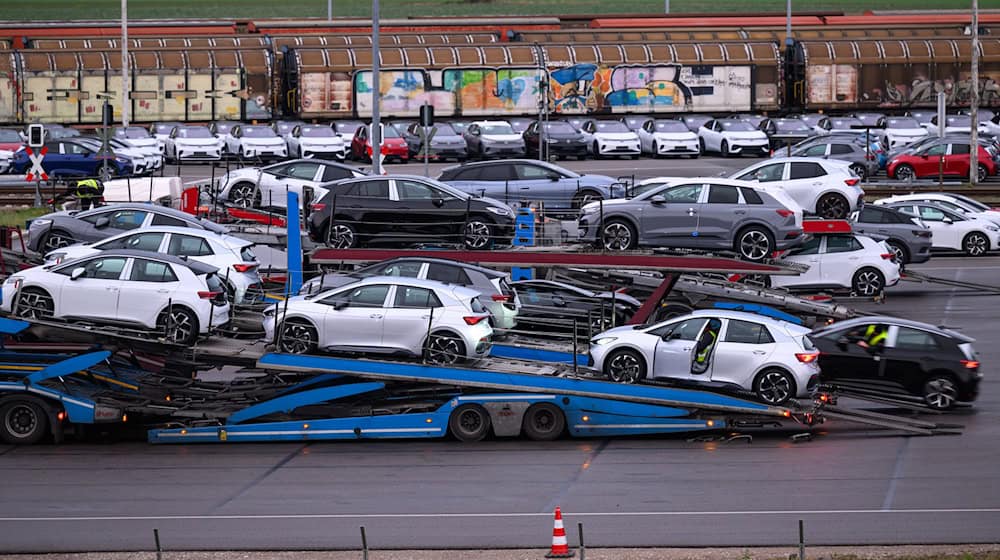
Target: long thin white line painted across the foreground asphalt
[{"x": 494, "y": 515}]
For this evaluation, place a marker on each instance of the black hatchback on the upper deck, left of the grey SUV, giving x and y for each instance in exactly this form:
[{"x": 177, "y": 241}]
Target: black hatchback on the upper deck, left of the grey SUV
[{"x": 405, "y": 210}]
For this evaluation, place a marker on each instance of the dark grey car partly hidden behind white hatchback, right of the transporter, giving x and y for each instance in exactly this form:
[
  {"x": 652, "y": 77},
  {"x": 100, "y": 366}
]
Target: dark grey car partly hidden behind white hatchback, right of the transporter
[{"x": 905, "y": 235}]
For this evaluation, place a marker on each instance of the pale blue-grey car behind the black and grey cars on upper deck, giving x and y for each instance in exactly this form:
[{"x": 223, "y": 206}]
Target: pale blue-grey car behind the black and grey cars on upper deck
[{"x": 528, "y": 180}]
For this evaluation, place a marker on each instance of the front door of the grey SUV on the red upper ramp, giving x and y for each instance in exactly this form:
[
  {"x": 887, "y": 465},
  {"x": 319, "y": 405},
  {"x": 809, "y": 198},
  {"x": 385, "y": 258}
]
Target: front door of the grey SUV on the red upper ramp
[{"x": 673, "y": 219}]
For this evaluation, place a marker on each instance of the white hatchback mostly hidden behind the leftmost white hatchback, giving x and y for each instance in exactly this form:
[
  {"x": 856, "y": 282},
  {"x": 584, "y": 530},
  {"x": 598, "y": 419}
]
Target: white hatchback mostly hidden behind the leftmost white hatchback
[{"x": 234, "y": 257}]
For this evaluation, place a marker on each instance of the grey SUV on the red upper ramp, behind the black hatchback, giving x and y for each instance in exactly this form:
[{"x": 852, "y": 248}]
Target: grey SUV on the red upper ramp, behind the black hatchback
[{"x": 695, "y": 214}]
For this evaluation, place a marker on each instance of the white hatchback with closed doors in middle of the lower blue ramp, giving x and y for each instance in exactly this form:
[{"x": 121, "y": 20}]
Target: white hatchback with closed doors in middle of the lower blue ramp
[{"x": 385, "y": 315}]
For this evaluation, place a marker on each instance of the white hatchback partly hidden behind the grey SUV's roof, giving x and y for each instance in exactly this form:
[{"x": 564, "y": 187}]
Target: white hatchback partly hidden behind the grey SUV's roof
[{"x": 823, "y": 187}]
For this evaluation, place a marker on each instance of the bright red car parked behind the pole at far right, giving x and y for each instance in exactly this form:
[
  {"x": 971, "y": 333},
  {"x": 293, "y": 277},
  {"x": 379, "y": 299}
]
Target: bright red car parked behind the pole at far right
[{"x": 927, "y": 161}]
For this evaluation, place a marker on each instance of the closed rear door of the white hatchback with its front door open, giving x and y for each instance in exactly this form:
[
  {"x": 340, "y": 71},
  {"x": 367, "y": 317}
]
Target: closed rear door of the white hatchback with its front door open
[{"x": 743, "y": 349}]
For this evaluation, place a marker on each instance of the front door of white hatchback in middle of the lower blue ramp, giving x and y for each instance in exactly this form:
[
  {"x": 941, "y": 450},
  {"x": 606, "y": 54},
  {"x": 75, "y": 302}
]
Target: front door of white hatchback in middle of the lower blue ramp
[{"x": 354, "y": 317}]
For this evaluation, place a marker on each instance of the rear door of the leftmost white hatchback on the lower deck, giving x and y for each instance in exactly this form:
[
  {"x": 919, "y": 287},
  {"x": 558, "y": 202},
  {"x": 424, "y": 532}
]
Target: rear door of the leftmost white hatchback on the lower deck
[{"x": 147, "y": 287}]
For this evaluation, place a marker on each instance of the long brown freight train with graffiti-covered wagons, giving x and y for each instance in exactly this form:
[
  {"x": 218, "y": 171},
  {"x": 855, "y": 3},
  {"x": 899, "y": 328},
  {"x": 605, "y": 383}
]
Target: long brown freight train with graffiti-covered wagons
[{"x": 609, "y": 66}]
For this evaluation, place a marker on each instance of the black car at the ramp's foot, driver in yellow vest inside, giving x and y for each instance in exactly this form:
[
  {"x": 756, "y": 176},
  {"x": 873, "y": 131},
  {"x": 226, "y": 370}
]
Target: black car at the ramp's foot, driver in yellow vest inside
[{"x": 913, "y": 359}]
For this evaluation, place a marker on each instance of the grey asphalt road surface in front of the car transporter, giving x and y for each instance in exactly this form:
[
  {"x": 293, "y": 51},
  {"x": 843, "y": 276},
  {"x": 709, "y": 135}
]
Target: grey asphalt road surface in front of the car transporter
[{"x": 851, "y": 484}]
